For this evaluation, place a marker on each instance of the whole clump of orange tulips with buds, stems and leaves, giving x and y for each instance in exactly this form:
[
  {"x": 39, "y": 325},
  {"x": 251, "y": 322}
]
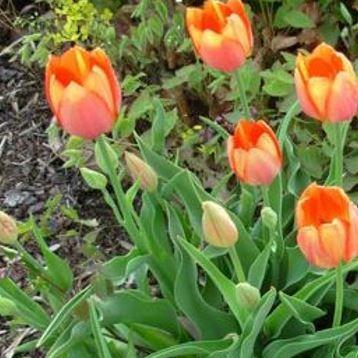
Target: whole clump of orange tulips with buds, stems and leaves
[{"x": 260, "y": 273}]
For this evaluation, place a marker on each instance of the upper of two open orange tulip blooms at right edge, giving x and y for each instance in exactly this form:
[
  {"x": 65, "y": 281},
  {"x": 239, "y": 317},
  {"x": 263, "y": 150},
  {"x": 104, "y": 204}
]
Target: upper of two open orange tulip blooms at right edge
[{"x": 326, "y": 85}]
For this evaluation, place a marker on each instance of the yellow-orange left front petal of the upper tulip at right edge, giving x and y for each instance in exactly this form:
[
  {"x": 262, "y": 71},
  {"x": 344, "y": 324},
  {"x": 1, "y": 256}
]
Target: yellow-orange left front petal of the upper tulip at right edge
[{"x": 318, "y": 89}]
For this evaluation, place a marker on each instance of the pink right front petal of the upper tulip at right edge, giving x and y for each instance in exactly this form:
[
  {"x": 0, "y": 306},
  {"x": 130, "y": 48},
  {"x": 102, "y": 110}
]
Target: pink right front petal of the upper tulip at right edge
[{"x": 343, "y": 98}]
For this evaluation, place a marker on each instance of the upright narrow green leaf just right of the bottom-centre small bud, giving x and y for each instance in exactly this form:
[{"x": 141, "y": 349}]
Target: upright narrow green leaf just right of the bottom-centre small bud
[{"x": 254, "y": 324}]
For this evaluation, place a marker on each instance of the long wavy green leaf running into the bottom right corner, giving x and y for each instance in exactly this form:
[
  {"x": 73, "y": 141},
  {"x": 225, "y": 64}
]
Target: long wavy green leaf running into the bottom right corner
[{"x": 286, "y": 348}]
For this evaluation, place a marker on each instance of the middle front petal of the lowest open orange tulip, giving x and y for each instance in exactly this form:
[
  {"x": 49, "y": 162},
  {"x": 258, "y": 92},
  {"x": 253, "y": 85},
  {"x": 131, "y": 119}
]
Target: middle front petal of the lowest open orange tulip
[{"x": 333, "y": 237}]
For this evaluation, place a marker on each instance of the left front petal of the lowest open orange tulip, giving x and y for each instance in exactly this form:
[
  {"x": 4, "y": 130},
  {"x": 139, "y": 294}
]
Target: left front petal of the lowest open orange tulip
[{"x": 309, "y": 243}]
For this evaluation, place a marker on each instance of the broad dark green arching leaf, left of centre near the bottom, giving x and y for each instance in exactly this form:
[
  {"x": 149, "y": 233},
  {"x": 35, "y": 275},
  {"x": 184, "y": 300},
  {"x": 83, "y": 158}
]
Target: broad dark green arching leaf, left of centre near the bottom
[{"x": 132, "y": 306}]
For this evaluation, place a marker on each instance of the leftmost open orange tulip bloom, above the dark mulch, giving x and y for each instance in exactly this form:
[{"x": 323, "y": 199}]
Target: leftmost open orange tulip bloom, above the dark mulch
[{"x": 83, "y": 92}]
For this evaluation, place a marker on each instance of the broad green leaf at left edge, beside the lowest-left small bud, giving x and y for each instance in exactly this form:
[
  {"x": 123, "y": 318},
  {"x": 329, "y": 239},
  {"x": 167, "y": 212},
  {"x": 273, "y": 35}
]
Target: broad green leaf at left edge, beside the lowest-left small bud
[{"x": 24, "y": 306}]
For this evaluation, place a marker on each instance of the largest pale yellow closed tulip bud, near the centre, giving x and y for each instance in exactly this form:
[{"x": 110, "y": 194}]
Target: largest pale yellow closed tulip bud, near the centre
[{"x": 218, "y": 227}]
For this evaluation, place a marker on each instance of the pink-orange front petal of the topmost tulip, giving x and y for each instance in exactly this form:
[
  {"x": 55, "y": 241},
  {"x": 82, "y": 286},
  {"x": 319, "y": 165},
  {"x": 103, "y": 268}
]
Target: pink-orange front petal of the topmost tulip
[{"x": 220, "y": 53}]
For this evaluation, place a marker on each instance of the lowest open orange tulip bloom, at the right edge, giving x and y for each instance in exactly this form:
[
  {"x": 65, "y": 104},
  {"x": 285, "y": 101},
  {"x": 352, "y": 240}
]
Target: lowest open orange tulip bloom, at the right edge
[{"x": 327, "y": 226}]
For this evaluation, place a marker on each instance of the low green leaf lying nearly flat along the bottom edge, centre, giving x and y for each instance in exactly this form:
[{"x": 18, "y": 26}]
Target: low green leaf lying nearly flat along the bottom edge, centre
[{"x": 194, "y": 348}]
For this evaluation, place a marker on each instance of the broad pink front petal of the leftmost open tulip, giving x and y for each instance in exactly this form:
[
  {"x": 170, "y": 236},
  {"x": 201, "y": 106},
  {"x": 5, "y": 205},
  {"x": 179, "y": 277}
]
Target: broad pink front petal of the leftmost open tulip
[{"x": 83, "y": 113}]
